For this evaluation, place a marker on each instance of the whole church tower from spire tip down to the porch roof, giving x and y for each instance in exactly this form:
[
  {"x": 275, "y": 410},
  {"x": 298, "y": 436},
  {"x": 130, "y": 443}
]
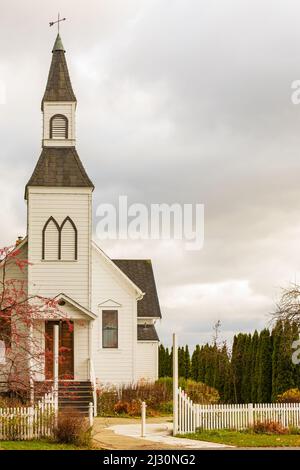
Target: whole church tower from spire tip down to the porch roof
[{"x": 59, "y": 197}]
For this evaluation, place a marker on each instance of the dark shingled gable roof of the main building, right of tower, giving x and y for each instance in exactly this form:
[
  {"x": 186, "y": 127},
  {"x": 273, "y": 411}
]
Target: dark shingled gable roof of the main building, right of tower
[{"x": 141, "y": 273}]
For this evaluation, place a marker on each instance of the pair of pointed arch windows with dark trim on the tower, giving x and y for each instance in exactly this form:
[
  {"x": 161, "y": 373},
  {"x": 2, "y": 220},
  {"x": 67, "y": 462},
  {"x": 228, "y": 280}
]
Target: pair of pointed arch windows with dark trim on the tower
[{"x": 60, "y": 242}]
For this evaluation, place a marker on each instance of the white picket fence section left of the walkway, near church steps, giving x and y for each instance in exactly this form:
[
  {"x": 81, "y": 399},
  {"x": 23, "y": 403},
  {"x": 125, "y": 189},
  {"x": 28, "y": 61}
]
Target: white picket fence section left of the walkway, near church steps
[{"x": 28, "y": 422}]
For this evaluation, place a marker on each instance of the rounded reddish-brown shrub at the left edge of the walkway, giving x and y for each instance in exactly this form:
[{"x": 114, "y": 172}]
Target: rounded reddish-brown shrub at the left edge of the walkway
[{"x": 72, "y": 428}]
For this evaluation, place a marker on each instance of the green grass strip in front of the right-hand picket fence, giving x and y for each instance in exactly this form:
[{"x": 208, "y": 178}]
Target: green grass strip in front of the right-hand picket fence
[{"x": 246, "y": 439}]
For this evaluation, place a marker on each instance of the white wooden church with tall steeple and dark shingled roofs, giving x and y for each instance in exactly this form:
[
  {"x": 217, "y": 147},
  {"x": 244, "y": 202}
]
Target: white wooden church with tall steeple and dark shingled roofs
[{"x": 112, "y": 303}]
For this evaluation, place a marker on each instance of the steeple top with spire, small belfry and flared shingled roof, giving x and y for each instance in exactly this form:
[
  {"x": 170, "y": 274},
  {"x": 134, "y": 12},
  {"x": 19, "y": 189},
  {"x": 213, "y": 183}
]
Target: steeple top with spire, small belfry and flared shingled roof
[{"x": 59, "y": 164}]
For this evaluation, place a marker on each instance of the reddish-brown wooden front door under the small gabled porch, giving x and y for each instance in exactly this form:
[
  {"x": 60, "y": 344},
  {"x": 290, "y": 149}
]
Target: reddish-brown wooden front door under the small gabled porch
[{"x": 66, "y": 350}]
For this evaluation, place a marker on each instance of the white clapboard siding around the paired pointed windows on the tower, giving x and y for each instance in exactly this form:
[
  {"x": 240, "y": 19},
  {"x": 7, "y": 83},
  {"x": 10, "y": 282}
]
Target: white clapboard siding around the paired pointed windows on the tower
[{"x": 68, "y": 276}]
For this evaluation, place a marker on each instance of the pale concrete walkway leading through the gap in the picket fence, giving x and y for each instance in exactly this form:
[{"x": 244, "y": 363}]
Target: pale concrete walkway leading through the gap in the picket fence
[{"x": 124, "y": 433}]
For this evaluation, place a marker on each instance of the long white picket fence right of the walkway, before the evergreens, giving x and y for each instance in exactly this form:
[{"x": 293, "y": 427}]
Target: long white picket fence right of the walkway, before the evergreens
[{"x": 192, "y": 416}]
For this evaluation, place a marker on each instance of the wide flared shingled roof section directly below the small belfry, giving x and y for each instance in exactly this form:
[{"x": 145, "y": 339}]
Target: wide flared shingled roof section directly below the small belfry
[{"x": 59, "y": 167}]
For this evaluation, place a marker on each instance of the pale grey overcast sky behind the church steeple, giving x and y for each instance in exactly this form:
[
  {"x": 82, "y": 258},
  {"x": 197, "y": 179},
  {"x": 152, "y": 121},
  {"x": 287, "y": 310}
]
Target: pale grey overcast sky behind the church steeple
[{"x": 183, "y": 101}]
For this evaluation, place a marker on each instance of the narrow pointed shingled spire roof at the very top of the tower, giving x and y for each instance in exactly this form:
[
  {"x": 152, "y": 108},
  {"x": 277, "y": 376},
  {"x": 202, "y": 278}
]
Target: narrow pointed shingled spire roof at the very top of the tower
[{"x": 59, "y": 87}]
